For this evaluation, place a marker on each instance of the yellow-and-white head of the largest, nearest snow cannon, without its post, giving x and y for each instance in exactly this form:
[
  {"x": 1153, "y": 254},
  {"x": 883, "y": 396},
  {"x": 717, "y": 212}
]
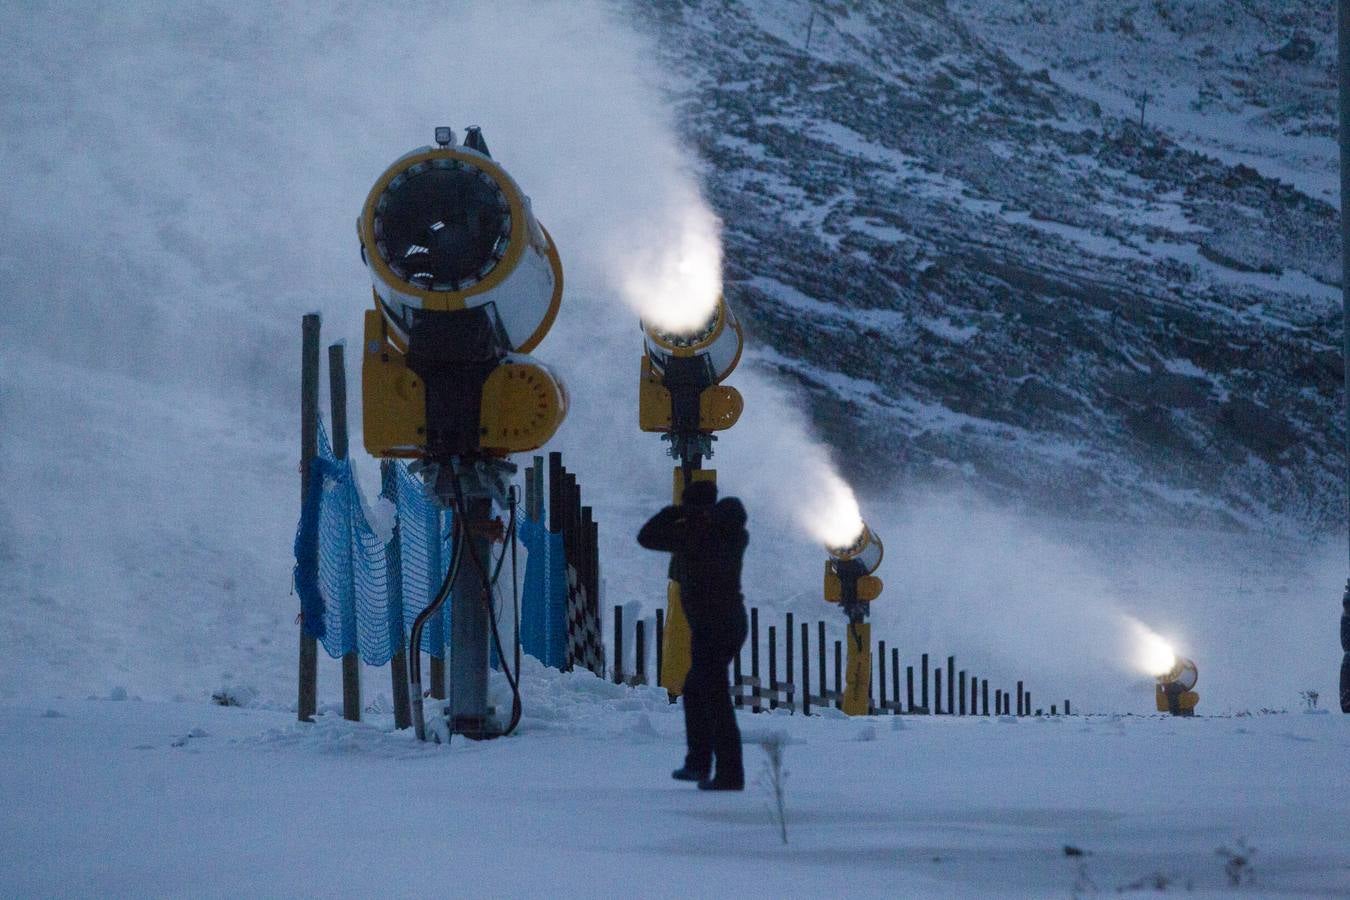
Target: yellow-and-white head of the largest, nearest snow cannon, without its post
[{"x": 466, "y": 283}]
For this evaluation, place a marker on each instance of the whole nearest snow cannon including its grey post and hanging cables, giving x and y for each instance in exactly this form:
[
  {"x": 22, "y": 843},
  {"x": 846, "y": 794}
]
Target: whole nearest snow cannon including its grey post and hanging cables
[{"x": 466, "y": 283}]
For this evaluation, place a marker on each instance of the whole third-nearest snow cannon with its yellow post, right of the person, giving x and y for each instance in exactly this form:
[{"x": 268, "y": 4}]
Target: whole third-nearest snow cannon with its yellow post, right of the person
[{"x": 850, "y": 582}]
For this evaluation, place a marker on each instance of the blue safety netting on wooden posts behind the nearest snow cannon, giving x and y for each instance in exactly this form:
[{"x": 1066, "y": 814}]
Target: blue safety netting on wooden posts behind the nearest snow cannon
[{"x": 361, "y": 593}]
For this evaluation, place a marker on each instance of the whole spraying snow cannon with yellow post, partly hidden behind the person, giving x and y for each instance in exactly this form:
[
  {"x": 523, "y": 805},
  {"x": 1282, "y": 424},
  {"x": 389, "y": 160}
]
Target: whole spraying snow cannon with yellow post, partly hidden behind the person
[{"x": 681, "y": 397}]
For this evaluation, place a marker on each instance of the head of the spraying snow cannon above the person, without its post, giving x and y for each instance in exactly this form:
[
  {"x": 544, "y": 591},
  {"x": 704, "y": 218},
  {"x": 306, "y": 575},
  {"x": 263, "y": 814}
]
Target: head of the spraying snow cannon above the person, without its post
[{"x": 681, "y": 389}]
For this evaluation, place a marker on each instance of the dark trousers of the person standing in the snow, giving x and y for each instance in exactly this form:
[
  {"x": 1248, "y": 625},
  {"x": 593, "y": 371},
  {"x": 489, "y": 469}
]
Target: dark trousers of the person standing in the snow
[{"x": 709, "y": 717}]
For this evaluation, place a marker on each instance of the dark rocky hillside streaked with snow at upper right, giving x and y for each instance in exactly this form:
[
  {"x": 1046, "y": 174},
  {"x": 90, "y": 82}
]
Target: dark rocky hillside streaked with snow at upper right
[{"x": 947, "y": 223}]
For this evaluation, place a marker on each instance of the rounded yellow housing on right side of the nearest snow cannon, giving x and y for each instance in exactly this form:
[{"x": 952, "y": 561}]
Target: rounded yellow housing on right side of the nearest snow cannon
[{"x": 523, "y": 408}]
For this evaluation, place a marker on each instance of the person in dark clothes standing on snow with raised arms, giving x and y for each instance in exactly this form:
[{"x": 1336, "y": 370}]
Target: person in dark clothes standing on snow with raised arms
[{"x": 707, "y": 539}]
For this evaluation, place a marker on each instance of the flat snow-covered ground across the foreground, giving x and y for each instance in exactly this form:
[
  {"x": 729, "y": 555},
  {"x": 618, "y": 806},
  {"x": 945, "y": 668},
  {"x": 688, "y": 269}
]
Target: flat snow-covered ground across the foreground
[{"x": 107, "y": 798}]
